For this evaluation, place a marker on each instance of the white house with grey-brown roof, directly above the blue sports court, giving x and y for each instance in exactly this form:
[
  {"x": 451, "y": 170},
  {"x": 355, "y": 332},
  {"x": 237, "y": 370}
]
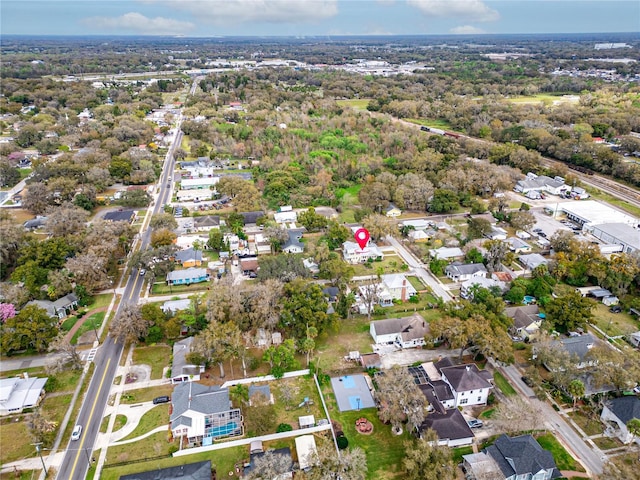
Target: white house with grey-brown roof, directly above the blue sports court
[{"x": 407, "y": 332}]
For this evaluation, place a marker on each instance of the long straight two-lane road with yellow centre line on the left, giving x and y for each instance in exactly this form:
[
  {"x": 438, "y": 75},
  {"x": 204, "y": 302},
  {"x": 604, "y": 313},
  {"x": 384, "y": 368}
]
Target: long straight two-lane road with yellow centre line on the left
[{"x": 79, "y": 453}]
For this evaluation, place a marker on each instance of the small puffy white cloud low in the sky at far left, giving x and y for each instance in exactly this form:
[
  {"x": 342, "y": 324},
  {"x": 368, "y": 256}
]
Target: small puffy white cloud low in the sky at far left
[{"x": 136, "y": 22}]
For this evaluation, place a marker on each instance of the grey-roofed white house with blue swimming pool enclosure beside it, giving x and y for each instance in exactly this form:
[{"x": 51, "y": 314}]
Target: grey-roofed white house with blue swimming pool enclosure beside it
[{"x": 200, "y": 413}]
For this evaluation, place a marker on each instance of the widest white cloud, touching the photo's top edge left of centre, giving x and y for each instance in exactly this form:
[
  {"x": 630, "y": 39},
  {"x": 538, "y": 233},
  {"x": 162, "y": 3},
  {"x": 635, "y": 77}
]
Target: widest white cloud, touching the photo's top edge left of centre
[{"x": 225, "y": 12}]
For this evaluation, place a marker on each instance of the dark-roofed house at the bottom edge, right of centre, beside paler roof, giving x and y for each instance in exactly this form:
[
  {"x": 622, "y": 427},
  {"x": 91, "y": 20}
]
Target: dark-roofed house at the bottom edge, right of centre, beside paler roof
[{"x": 512, "y": 458}]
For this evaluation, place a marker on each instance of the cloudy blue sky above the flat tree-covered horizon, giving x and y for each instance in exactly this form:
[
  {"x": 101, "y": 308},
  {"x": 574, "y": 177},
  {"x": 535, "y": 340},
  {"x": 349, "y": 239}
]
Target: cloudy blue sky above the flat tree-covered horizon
[{"x": 205, "y": 18}]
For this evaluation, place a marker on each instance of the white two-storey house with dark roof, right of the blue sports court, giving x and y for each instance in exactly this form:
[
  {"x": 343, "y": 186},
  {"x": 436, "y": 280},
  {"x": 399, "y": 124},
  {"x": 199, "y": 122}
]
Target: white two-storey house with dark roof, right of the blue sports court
[{"x": 469, "y": 385}]
